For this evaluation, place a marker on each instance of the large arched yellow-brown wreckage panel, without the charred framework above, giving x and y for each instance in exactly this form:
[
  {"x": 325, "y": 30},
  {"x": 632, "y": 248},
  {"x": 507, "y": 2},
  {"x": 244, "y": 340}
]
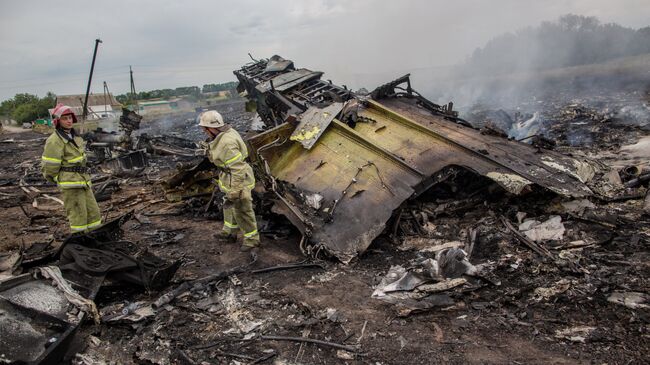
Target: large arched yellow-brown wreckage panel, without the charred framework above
[{"x": 356, "y": 183}]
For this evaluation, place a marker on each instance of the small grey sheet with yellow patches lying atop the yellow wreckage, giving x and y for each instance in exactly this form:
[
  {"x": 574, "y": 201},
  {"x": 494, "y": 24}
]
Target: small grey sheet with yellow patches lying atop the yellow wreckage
[{"x": 313, "y": 123}]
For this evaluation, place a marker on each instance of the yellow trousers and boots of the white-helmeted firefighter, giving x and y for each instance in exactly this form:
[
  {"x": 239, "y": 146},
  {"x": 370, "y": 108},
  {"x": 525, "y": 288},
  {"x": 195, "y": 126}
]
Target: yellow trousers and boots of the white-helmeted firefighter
[{"x": 238, "y": 215}]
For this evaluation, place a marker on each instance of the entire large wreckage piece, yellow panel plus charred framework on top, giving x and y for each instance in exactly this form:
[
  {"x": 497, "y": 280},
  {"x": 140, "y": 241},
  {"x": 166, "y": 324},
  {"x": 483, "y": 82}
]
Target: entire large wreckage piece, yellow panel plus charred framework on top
[{"x": 377, "y": 154}]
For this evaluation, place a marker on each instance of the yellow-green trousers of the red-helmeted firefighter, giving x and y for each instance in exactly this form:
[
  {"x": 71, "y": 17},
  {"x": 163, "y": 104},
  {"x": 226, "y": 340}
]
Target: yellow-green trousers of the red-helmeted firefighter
[{"x": 81, "y": 208}]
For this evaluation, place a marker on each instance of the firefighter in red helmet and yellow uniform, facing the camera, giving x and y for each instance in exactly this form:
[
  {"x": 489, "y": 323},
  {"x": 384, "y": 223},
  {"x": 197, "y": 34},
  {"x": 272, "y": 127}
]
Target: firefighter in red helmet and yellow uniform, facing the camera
[{"x": 64, "y": 163}]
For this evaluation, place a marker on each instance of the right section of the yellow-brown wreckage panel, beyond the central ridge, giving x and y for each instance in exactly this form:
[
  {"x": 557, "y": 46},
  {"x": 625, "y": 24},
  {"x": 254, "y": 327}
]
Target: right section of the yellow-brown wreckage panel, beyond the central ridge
[{"x": 430, "y": 143}]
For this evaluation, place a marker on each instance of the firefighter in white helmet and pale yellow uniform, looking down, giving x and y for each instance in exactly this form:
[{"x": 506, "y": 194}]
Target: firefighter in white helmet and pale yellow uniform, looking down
[{"x": 228, "y": 152}]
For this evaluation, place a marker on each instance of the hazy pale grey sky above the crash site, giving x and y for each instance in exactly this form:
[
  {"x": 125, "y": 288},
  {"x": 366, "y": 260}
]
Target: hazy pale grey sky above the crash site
[{"x": 47, "y": 45}]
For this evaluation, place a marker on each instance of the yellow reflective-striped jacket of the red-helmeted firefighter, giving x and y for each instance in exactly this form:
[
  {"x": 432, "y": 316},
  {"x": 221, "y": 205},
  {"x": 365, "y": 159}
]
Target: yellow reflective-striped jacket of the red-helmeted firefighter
[{"x": 64, "y": 160}]
